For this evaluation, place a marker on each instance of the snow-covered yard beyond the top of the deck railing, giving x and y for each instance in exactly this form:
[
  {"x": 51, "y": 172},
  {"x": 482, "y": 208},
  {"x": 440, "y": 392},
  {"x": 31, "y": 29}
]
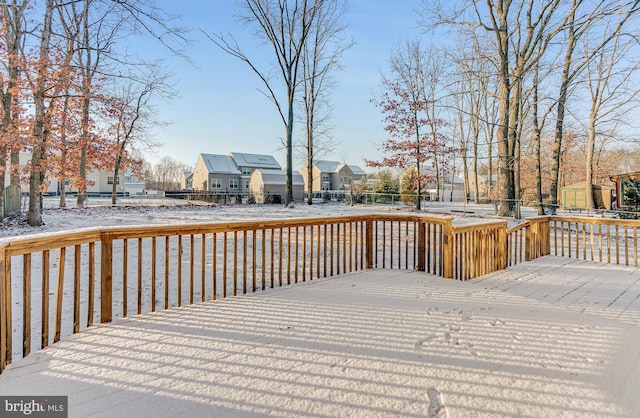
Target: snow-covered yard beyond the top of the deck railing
[{"x": 157, "y": 210}]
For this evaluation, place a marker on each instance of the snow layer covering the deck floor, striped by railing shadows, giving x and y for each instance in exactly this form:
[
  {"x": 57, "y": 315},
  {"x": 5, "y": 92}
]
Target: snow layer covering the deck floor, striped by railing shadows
[{"x": 378, "y": 343}]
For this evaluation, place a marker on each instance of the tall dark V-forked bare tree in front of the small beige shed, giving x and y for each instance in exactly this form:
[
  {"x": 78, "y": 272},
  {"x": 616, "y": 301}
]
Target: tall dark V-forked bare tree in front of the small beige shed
[{"x": 284, "y": 25}]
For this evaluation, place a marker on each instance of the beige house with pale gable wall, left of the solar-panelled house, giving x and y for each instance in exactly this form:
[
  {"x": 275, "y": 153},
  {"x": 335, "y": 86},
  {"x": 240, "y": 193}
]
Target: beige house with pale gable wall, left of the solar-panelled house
[{"x": 216, "y": 172}]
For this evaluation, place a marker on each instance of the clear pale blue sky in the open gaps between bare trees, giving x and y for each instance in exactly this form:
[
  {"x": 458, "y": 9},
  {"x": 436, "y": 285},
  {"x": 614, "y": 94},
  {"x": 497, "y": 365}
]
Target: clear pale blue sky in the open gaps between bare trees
[{"x": 220, "y": 109}]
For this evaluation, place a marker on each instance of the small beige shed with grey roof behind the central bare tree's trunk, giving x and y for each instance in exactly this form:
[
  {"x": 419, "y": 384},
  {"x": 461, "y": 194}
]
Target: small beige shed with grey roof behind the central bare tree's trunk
[{"x": 269, "y": 186}]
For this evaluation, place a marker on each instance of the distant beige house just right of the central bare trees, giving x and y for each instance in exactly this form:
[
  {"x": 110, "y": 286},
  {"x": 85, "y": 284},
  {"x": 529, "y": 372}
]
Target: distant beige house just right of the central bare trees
[{"x": 332, "y": 175}]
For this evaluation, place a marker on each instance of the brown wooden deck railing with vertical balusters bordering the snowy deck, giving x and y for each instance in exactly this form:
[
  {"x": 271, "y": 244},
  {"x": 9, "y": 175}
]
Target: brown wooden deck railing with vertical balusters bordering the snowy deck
[{"x": 60, "y": 284}]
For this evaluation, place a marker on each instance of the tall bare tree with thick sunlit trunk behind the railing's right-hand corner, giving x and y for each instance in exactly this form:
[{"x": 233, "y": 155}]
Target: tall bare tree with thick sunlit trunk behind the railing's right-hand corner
[{"x": 516, "y": 31}]
